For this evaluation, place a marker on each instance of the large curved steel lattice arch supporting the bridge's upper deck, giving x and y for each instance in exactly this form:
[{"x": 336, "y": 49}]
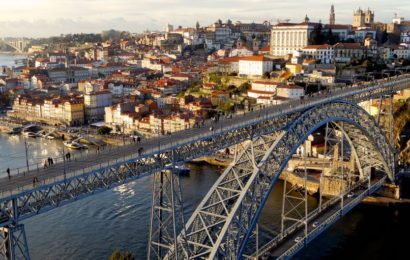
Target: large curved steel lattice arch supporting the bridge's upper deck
[{"x": 222, "y": 224}]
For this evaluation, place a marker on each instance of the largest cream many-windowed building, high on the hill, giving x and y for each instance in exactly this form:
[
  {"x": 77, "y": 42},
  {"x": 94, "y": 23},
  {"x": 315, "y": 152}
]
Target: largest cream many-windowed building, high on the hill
[{"x": 289, "y": 37}]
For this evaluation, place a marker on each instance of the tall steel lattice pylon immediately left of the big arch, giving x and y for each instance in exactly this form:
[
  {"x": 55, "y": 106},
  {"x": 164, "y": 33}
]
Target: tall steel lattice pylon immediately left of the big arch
[{"x": 167, "y": 216}]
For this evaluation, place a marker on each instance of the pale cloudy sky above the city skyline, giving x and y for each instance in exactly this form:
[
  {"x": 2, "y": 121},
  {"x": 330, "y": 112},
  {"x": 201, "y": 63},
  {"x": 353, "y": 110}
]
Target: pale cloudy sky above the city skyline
[{"x": 42, "y": 18}]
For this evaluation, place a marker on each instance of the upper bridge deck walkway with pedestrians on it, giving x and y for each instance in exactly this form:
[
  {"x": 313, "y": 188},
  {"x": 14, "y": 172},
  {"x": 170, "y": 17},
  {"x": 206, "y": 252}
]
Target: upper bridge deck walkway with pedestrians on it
[{"x": 85, "y": 164}]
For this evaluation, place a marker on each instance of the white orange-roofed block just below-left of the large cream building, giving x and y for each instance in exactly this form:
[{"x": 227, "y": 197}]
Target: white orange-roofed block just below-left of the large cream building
[{"x": 255, "y": 65}]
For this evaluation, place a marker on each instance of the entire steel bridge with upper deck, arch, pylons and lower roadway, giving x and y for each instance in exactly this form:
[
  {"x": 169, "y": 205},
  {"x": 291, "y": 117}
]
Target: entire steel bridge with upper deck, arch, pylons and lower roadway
[{"x": 225, "y": 223}]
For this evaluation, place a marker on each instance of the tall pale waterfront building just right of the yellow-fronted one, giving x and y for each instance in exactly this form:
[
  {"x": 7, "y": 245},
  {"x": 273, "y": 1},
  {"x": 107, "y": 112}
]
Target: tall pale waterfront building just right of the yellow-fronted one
[{"x": 94, "y": 104}]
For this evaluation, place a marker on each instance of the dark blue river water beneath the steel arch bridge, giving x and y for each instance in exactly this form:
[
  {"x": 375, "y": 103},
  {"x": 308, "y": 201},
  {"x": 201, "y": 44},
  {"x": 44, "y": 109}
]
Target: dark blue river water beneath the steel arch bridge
[{"x": 92, "y": 228}]
